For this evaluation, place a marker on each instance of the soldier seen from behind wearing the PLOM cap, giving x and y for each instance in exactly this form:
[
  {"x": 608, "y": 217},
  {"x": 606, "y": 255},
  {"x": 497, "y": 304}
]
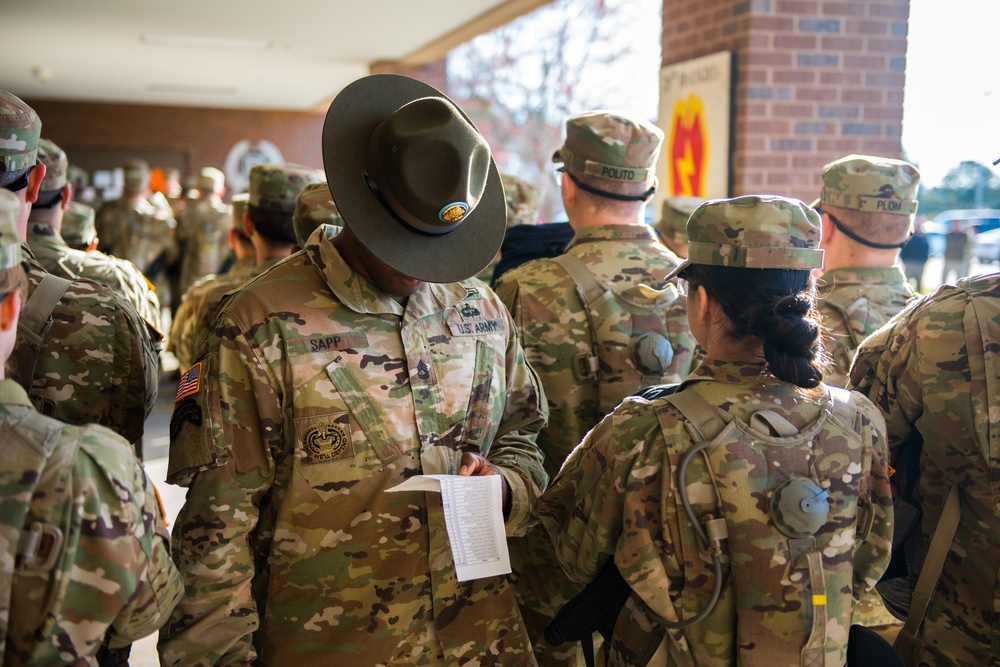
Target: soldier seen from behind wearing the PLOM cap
[{"x": 868, "y": 205}]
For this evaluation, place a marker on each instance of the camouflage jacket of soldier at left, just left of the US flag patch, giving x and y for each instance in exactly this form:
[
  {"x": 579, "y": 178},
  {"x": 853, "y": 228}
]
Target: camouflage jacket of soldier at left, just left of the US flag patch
[{"x": 97, "y": 363}]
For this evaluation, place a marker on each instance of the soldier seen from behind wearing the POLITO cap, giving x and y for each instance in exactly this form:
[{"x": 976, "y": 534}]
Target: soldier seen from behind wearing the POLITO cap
[{"x": 608, "y": 163}]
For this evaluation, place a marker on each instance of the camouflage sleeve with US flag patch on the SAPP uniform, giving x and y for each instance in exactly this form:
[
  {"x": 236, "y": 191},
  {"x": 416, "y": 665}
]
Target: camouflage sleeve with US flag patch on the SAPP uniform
[{"x": 228, "y": 426}]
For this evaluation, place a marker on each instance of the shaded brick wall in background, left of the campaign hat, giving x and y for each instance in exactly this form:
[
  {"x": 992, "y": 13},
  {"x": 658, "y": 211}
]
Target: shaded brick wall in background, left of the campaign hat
[{"x": 196, "y": 137}]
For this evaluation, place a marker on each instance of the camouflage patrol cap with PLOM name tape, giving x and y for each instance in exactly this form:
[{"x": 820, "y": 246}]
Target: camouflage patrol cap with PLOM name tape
[{"x": 870, "y": 183}]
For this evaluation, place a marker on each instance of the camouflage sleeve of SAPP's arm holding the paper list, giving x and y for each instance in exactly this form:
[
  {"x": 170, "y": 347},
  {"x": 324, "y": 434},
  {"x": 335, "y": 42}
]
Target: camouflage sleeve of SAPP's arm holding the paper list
[{"x": 514, "y": 449}]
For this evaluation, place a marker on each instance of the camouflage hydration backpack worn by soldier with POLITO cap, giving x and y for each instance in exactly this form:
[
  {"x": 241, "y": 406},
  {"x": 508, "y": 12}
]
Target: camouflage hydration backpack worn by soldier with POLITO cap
[{"x": 630, "y": 343}]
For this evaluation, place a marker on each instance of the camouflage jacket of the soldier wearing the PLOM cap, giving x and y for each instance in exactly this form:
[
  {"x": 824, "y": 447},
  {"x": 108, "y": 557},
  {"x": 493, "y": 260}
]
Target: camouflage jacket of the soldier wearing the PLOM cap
[{"x": 853, "y": 303}]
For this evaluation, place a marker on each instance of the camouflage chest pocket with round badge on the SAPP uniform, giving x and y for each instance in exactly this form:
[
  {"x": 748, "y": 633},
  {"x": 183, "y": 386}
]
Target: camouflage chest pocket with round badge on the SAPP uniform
[{"x": 332, "y": 453}]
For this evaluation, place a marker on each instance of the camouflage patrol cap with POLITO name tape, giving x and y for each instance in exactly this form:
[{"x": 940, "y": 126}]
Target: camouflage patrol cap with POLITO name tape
[{"x": 604, "y": 146}]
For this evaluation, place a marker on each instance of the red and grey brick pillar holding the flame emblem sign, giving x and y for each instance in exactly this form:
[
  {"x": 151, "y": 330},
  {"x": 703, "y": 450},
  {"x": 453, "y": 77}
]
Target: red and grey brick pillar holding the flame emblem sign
[{"x": 815, "y": 80}]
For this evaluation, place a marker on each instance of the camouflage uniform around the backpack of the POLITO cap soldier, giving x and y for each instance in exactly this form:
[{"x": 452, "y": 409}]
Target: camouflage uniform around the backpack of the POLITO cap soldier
[{"x": 554, "y": 329}]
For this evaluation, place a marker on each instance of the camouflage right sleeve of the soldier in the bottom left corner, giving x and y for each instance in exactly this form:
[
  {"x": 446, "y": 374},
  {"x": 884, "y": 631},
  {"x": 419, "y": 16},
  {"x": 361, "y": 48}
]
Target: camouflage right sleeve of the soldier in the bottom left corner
[{"x": 127, "y": 545}]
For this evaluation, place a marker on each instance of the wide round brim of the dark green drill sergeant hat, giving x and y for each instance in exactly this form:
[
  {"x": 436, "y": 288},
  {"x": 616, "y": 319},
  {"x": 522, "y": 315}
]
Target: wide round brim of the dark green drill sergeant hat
[{"x": 352, "y": 118}]
